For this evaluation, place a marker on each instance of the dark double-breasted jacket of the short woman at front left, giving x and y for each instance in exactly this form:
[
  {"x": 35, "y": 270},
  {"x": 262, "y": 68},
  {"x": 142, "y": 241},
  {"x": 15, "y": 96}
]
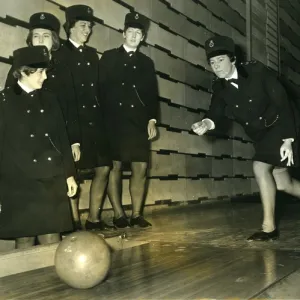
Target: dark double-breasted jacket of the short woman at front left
[{"x": 33, "y": 134}]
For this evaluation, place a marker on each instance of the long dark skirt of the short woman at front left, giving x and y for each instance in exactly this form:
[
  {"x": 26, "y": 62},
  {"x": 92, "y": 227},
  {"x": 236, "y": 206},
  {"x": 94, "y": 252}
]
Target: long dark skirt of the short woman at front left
[{"x": 31, "y": 207}]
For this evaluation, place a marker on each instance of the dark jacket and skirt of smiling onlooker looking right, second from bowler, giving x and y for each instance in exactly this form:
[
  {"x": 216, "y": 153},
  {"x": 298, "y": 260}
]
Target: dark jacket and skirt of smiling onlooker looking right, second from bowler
[{"x": 83, "y": 64}]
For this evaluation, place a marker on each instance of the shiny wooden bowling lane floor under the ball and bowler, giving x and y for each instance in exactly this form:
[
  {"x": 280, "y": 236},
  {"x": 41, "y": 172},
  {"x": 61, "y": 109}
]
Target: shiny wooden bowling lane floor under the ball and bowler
[{"x": 192, "y": 252}]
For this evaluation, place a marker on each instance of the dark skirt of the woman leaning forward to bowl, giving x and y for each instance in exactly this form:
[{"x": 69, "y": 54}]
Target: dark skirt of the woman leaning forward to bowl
[{"x": 267, "y": 147}]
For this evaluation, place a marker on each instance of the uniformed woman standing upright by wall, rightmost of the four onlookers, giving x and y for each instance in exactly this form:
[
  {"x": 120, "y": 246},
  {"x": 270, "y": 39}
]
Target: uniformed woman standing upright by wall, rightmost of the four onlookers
[{"x": 129, "y": 93}]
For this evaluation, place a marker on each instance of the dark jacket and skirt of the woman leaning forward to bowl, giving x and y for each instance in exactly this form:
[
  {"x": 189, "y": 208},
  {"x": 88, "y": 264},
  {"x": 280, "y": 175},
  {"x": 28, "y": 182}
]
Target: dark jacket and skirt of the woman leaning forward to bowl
[{"x": 260, "y": 104}]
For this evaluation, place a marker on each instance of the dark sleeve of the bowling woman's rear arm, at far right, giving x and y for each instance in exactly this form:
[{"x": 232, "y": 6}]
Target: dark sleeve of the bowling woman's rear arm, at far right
[{"x": 279, "y": 98}]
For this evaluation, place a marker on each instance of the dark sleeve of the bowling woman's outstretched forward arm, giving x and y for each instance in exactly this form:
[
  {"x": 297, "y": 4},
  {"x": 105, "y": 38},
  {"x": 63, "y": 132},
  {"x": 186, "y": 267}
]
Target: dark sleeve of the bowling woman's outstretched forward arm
[{"x": 216, "y": 111}]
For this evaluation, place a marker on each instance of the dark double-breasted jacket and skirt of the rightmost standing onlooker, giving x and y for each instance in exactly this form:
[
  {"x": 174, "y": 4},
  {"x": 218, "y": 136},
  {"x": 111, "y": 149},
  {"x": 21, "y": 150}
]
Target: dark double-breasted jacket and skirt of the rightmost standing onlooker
[{"x": 129, "y": 94}]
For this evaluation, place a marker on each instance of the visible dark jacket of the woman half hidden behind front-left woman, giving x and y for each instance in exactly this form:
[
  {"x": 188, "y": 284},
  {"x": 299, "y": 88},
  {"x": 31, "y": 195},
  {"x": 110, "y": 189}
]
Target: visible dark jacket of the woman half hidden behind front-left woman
[{"x": 59, "y": 81}]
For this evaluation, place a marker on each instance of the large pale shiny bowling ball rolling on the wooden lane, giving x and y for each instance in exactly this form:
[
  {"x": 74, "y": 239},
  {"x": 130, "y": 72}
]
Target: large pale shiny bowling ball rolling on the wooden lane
[{"x": 82, "y": 260}]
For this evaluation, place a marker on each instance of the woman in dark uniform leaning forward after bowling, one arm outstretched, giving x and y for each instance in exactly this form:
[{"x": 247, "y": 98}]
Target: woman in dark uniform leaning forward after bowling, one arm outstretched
[{"x": 252, "y": 96}]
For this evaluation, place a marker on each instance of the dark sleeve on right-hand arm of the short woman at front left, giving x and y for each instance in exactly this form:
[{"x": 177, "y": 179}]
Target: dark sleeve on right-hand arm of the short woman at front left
[{"x": 68, "y": 162}]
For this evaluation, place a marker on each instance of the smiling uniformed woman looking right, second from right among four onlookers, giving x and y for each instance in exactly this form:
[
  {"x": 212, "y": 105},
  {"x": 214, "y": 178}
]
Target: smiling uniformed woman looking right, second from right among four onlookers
[{"x": 82, "y": 61}]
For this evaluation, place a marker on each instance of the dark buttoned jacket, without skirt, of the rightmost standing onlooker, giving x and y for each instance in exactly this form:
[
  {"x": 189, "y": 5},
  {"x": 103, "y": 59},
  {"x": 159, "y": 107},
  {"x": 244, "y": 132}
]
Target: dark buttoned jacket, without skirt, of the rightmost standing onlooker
[{"x": 128, "y": 87}]
